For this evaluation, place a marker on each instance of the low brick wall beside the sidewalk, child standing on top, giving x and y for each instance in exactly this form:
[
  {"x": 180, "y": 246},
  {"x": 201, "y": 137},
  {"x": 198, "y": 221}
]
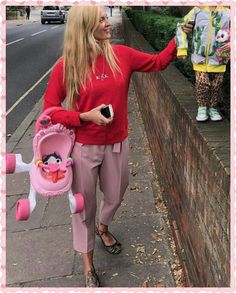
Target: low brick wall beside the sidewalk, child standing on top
[{"x": 194, "y": 161}]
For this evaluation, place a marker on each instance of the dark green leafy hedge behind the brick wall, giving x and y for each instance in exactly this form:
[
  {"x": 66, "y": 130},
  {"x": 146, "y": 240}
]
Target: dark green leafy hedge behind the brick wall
[{"x": 158, "y": 31}]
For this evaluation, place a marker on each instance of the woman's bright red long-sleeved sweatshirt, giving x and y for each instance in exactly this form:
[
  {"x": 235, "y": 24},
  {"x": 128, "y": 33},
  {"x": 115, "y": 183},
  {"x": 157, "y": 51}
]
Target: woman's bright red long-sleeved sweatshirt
[{"x": 111, "y": 90}]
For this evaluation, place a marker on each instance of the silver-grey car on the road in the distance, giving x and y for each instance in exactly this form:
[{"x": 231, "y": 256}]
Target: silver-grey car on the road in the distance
[{"x": 53, "y": 13}]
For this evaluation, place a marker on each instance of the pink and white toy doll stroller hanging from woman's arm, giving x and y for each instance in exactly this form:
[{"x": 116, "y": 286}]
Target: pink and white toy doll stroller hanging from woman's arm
[{"x": 51, "y": 168}]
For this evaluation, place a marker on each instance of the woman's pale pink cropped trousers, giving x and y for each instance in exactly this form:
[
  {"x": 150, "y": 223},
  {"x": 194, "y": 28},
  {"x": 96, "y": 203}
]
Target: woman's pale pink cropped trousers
[{"x": 110, "y": 164}]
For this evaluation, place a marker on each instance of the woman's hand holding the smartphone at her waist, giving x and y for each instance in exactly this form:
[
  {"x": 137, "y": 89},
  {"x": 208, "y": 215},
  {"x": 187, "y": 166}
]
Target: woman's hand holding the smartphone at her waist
[{"x": 95, "y": 116}]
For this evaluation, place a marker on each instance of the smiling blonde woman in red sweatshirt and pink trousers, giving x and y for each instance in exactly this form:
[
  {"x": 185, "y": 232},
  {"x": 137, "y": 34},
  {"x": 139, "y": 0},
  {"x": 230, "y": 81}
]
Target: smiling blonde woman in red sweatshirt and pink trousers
[{"x": 90, "y": 75}]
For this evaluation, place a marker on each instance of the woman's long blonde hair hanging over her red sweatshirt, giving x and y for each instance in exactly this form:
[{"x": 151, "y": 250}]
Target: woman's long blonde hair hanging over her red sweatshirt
[{"x": 81, "y": 50}]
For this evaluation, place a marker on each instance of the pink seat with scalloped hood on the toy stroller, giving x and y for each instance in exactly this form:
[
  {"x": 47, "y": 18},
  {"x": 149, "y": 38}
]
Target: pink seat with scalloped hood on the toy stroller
[{"x": 55, "y": 139}]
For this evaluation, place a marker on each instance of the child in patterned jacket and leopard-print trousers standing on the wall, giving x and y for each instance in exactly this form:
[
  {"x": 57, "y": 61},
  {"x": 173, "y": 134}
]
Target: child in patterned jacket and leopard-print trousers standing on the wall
[{"x": 209, "y": 22}]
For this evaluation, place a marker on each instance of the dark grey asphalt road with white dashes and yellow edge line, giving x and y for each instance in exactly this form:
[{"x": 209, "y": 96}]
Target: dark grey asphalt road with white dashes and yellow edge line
[{"x": 32, "y": 49}]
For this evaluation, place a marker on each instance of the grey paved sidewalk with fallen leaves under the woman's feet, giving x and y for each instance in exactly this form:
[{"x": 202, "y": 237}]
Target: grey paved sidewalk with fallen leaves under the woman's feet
[{"x": 39, "y": 251}]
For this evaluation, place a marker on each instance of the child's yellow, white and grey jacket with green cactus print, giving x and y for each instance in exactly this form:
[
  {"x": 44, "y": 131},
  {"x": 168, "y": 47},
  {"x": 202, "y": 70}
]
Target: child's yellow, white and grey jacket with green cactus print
[{"x": 206, "y": 26}]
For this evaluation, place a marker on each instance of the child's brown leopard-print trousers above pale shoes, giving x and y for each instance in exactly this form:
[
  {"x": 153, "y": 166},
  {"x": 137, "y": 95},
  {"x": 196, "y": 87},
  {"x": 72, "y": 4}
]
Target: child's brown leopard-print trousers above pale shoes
[{"x": 208, "y": 88}]
